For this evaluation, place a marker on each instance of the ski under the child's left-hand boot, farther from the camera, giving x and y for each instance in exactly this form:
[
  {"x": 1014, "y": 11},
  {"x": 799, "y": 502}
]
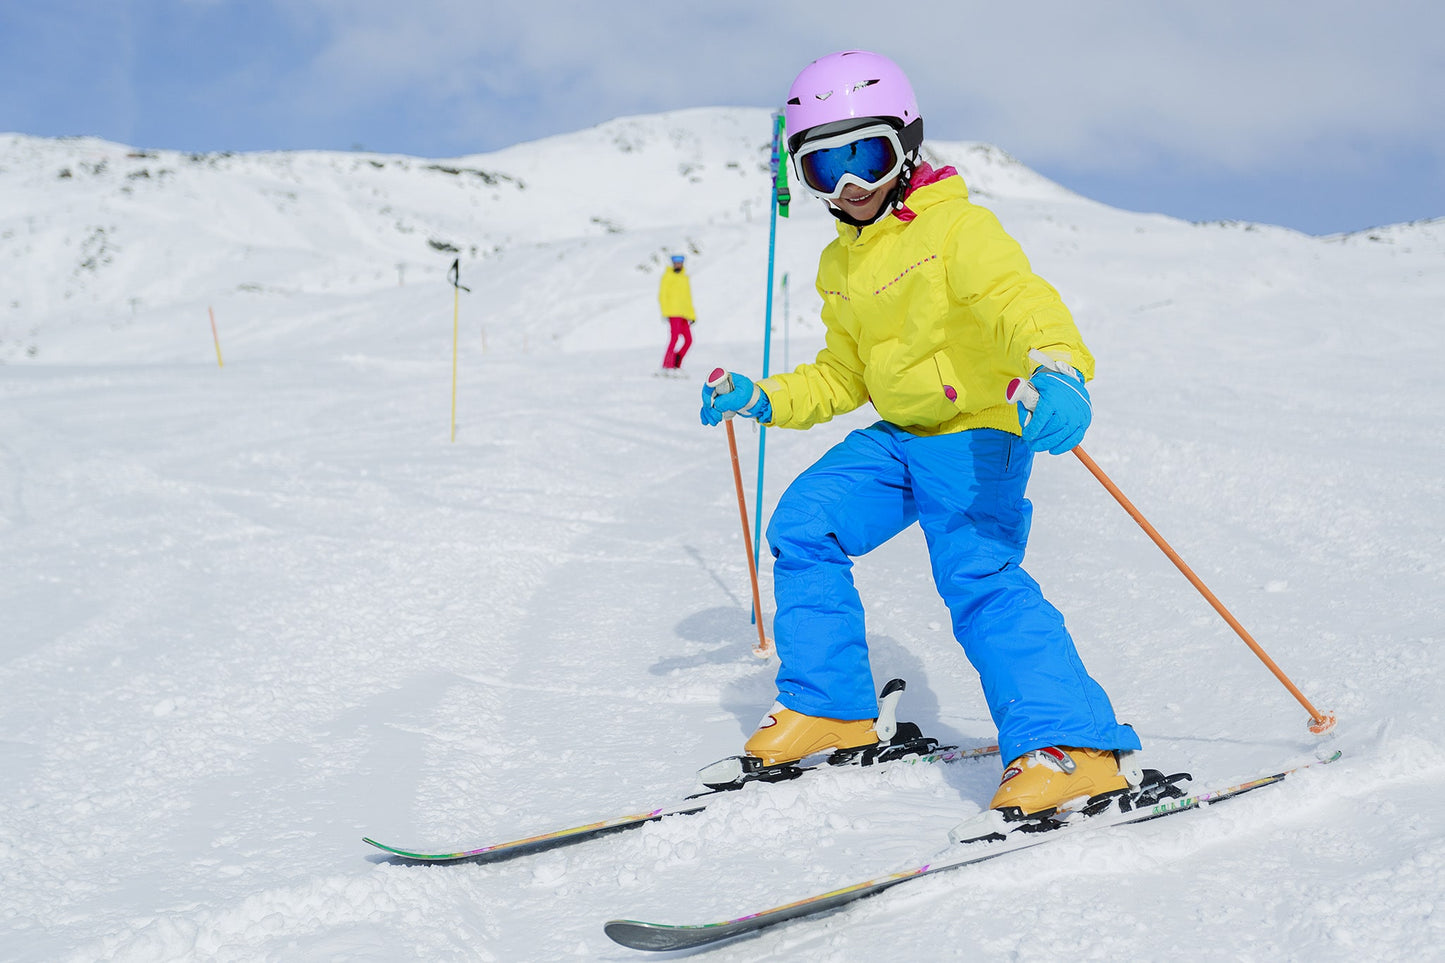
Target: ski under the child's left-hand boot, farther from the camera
[{"x": 544, "y": 842}]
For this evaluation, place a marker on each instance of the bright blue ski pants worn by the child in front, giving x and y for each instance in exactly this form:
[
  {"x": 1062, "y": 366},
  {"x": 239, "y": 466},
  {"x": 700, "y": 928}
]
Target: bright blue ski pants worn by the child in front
[{"x": 967, "y": 494}]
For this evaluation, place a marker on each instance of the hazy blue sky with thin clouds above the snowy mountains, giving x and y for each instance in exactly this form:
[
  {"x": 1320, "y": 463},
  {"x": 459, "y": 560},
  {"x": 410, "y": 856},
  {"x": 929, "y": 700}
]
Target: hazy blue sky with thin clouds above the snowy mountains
[{"x": 1324, "y": 116}]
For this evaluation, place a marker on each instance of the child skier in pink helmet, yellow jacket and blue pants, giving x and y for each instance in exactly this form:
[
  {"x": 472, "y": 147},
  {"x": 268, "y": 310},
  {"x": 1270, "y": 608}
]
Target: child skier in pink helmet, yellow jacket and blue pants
[{"x": 930, "y": 312}]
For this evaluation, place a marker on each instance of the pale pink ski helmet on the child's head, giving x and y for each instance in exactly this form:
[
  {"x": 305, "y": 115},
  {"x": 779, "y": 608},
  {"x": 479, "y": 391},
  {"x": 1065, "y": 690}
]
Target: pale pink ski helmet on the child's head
[{"x": 852, "y": 87}]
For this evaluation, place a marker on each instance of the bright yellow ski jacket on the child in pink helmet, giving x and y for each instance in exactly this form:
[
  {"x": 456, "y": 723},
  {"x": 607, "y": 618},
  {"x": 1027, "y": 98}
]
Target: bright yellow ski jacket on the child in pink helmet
[{"x": 930, "y": 313}]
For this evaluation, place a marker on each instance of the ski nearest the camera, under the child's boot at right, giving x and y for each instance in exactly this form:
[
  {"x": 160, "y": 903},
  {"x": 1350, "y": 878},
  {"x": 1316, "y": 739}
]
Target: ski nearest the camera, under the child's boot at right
[{"x": 660, "y": 936}]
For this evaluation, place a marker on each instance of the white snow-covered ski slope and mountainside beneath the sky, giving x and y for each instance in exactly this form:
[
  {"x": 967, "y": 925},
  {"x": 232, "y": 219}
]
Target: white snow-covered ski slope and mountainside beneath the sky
[{"x": 254, "y": 614}]
